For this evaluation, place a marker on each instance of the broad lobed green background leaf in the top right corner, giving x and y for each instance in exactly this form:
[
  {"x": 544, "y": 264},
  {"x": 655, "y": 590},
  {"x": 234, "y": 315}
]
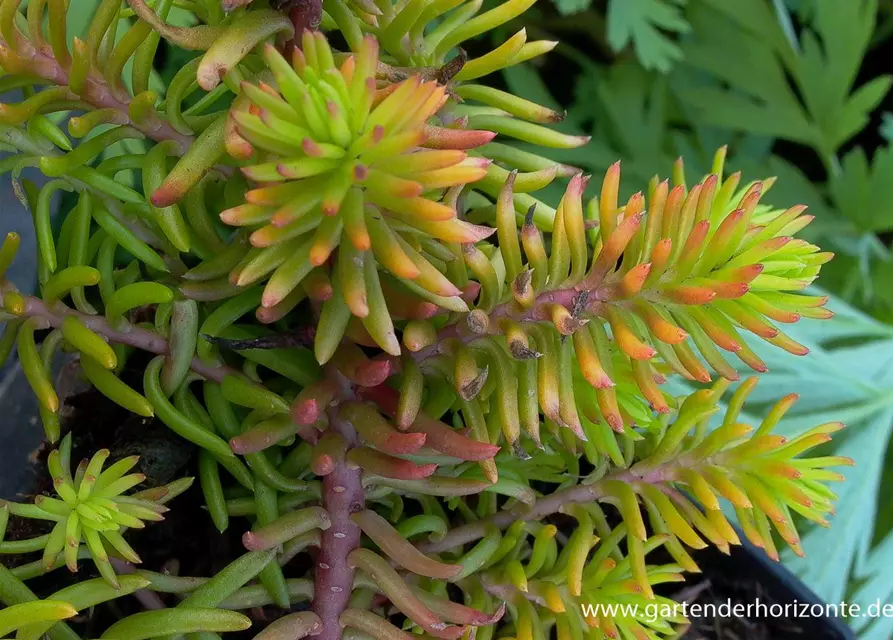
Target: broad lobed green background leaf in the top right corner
[{"x": 746, "y": 52}]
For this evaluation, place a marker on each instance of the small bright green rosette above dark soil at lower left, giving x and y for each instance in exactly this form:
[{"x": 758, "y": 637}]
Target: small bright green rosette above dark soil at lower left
[{"x": 91, "y": 508}]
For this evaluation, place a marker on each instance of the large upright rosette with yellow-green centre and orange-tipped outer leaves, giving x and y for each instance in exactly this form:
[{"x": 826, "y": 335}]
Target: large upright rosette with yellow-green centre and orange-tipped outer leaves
[{"x": 342, "y": 164}]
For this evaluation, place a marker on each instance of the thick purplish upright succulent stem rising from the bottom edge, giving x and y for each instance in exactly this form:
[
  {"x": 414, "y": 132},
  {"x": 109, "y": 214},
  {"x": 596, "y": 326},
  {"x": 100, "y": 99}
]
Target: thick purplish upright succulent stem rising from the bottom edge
[{"x": 343, "y": 495}]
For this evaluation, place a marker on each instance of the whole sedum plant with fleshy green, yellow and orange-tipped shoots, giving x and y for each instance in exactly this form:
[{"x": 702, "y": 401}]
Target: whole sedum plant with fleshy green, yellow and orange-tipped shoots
[{"x": 391, "y": 356}]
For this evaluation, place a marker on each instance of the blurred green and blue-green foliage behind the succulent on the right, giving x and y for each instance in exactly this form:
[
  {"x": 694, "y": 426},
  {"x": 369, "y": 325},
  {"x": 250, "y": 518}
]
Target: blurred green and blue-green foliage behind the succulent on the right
[{"x": 798, "y": 90}]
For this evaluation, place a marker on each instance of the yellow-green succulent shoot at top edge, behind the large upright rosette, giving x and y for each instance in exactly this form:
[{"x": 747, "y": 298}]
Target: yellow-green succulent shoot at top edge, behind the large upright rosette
[{"x": 417, "y": 37}]
